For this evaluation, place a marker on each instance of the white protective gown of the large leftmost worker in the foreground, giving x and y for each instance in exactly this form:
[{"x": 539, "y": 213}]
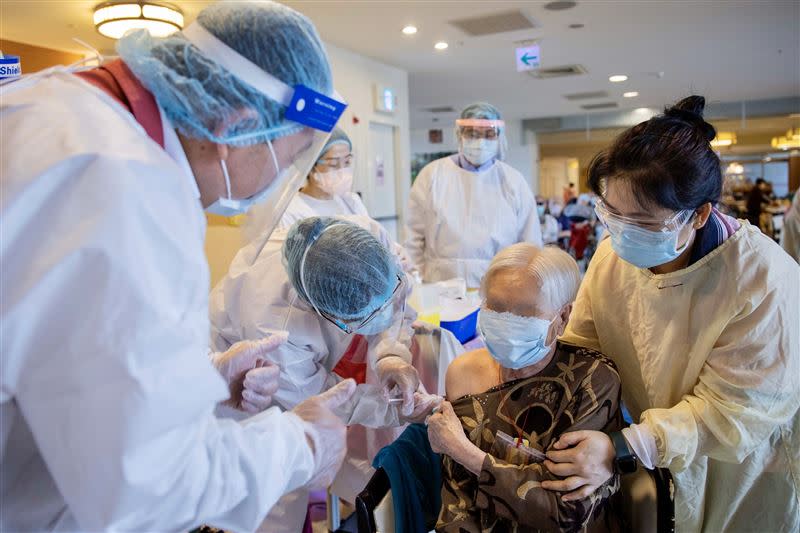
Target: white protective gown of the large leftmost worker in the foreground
[{"x": 107, "y": 391}]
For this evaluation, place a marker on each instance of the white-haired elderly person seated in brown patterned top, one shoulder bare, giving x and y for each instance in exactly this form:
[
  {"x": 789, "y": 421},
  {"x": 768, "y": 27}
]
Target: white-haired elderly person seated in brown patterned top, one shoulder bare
[{"x": 512, "y": 401}]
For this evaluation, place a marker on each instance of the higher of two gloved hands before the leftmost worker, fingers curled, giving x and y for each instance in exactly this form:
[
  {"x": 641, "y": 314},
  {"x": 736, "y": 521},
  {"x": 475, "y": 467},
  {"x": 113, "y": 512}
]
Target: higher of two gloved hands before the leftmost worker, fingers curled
[{"x": 244, "y": 358}]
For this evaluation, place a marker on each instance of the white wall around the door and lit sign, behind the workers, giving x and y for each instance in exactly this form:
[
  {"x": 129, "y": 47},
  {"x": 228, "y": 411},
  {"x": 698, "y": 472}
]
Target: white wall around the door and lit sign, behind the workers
[{"x": 354, "y": 77}]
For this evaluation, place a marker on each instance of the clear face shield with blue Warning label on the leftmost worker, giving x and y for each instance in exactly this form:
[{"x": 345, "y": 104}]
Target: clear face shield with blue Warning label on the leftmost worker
[{"x": 310, "y": 118}]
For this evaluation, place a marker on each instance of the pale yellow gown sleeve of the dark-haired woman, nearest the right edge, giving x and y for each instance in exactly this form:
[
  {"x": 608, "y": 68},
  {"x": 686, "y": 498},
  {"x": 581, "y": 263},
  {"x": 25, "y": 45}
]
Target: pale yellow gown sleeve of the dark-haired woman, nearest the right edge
[{"x": 749, "y": 386}]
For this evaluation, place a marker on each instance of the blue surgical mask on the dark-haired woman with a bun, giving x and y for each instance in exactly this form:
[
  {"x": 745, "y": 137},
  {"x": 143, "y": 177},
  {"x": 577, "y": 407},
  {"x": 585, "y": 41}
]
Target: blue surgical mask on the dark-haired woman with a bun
[{"x": 644, "y": 248}]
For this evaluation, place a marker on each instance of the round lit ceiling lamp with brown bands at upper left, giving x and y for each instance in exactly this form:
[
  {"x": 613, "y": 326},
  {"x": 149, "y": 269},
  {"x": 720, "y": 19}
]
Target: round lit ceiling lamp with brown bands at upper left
[{"x": 114, "y": 19}]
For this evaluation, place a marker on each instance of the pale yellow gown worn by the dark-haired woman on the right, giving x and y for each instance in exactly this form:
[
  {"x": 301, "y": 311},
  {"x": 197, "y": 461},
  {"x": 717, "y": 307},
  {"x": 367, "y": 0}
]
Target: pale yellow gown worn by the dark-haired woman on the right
[{"x": 709, "y": 358}]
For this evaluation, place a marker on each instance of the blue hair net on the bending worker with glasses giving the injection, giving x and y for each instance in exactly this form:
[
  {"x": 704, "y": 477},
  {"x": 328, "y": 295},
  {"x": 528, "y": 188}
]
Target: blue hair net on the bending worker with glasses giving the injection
[{"x": 348, "y": 273}]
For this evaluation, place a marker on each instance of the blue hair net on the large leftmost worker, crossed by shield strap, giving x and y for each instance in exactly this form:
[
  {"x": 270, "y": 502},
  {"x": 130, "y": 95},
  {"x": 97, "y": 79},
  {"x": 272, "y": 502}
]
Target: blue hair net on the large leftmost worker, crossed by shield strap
[{"x": 203, "y": 99}]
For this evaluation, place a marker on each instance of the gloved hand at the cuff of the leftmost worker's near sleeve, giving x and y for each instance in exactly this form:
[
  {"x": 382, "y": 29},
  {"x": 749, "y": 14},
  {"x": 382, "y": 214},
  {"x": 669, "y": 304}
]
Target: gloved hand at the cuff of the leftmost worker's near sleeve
[{"x": 326, "y": 433}]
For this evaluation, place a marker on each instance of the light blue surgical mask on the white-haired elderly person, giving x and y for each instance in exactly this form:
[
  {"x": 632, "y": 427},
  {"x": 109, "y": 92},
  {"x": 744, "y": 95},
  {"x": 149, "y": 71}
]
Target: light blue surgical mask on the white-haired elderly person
[{"x": 514, "y": 341}]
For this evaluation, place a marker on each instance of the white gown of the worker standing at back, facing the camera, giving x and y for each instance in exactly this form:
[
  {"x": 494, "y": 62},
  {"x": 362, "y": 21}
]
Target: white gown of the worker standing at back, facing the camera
[{"x": 458, "y": 220}]
